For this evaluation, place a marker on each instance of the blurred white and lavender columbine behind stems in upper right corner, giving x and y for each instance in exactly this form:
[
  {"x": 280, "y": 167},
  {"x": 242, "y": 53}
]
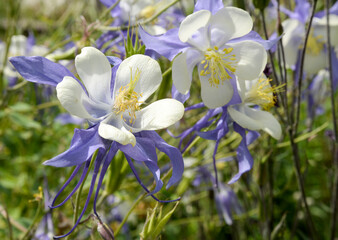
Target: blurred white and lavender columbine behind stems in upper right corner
[{"x": 316, "y": 50}]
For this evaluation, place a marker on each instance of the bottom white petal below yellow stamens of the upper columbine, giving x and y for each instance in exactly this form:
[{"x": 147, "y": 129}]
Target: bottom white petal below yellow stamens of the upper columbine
[{"x": 213, "y": 96}]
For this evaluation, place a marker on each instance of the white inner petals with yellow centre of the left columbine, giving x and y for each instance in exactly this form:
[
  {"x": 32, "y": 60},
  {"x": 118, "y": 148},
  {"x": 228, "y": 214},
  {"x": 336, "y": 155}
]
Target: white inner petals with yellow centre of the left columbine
[{"x": 119, "y": 111}]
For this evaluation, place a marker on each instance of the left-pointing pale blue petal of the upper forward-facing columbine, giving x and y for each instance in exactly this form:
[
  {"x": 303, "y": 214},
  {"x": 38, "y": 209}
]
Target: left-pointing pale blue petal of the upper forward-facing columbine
[{"x": 167, "y": 44}]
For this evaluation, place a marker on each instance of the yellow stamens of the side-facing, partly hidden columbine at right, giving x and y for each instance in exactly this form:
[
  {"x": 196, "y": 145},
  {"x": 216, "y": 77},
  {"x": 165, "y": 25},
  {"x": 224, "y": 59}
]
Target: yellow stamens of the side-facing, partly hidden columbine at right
[{"x": 263, "y": 94}]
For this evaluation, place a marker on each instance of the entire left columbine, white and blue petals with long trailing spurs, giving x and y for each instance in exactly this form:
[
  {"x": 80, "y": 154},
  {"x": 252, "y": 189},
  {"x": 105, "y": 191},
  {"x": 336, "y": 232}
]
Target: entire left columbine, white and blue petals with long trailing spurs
[{"x": 111, "y": 101}]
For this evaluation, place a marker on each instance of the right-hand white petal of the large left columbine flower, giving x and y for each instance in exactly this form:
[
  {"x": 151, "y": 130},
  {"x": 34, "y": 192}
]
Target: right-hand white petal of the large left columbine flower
[{"x": 158, "y": 115}]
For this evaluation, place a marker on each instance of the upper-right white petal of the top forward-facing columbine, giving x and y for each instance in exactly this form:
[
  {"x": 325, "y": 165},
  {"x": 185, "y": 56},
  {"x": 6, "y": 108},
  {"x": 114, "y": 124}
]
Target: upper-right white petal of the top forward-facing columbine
[{"x": 234, "y": 21}]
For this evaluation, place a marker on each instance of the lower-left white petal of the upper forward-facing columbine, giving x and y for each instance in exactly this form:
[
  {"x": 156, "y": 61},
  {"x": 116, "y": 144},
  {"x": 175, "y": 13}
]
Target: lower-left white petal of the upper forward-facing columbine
[{"x": 182, "y": 69}]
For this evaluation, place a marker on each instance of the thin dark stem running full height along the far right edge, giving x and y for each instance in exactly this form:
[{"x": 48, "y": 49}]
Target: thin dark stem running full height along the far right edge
[{"x": 334, "y": 197}]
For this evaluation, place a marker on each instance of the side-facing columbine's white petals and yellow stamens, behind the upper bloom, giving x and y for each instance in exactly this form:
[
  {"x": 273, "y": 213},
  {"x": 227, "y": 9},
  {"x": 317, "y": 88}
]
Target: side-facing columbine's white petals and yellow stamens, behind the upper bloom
[{"x": 260, "y": 93}]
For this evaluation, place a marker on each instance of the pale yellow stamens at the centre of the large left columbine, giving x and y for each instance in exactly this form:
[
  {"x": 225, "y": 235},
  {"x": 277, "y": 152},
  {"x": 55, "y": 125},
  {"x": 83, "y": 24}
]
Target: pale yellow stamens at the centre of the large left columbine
[{"x": 127, "y": 98}]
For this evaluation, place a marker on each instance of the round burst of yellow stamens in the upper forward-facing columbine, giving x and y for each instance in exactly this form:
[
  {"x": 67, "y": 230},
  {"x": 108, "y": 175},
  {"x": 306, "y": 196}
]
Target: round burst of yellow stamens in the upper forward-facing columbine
[{"x": 219, "y": 64}]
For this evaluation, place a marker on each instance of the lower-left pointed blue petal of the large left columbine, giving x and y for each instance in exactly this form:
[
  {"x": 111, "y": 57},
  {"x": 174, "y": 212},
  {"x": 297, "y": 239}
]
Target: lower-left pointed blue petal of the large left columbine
[{"x": 83, "y": 145}]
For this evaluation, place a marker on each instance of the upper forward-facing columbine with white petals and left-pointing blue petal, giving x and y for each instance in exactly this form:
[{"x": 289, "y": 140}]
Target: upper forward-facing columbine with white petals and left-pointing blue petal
[{"x": 206, "y": 38}]
